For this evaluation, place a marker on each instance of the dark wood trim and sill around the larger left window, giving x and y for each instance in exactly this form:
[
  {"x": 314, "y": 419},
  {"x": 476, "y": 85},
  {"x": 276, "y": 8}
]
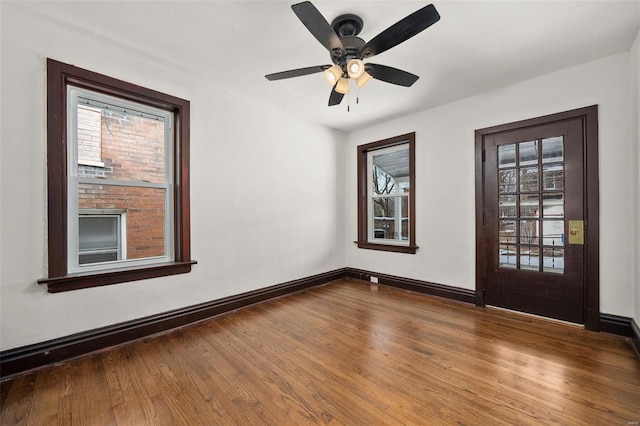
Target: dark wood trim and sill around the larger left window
[{"x": 59, "y": 75}]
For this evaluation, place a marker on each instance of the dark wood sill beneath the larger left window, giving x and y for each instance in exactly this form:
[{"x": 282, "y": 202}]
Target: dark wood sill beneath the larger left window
[{"x": 114, "y": 276}]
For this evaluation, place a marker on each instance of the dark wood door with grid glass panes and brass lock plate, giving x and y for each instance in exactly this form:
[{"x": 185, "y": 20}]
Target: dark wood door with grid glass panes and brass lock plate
[{"x": 533, "y": 220}]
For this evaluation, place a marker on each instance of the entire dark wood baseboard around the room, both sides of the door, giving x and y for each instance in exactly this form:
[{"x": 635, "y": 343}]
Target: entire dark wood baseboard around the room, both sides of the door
[{"x": 20, "y": 360}]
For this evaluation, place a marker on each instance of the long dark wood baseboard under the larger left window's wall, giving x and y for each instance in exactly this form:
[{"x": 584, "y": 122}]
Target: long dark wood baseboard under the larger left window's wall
[{"x": 23, "y": 359}]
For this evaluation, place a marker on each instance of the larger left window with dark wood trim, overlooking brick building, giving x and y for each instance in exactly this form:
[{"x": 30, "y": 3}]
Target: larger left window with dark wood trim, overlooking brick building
[{"x": 118, "y": 181}]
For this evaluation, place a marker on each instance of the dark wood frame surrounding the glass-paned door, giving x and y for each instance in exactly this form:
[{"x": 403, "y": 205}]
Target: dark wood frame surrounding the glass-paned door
[{"x": 589, "y": 118}]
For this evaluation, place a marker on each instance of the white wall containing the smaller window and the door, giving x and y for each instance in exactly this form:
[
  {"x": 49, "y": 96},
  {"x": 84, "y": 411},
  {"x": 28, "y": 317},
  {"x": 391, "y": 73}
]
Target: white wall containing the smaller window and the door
[{"x": 445, "y": 182}]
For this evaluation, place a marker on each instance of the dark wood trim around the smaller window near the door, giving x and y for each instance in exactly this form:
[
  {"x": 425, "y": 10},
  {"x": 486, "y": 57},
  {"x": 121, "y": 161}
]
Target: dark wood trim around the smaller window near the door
[{"x": 363, "y": 173}]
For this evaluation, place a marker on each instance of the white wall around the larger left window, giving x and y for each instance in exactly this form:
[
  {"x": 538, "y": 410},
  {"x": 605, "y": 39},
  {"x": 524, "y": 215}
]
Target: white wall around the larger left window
[{"x": 255, "y": 221}]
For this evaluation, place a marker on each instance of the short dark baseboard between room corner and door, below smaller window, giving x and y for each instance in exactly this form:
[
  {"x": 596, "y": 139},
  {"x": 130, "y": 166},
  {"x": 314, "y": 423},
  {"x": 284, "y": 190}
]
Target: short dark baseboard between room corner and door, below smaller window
[{"x": 440, "y": 290}]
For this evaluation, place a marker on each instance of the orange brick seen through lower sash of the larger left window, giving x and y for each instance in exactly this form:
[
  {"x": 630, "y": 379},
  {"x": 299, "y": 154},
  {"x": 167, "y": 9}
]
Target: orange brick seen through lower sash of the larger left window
[{"x": 145, "y": 215}]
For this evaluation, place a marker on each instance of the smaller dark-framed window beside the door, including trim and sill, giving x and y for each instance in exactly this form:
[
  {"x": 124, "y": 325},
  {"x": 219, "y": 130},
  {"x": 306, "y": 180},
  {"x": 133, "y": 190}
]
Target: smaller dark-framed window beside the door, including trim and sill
[{"x": 386, "y": 206}]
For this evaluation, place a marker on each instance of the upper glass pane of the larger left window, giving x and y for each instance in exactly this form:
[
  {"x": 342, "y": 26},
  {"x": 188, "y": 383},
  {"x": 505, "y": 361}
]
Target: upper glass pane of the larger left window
[{"x": 119, "y": 145}]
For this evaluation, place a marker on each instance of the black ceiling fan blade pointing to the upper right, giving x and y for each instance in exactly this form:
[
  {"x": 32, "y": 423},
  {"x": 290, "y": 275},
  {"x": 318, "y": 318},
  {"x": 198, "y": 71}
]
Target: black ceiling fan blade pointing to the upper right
[{"x": 401, "y": 31}]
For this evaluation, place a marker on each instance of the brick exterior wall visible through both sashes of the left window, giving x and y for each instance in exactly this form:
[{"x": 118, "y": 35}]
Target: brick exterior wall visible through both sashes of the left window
[{"x": 131, "y": 149}]
